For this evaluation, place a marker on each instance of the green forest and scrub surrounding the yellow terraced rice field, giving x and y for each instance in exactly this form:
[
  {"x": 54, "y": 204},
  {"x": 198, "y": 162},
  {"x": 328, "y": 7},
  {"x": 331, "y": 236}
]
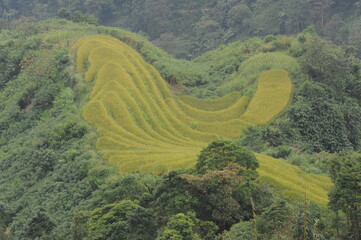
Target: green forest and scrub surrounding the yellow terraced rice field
[{"x": 56, "y": 184}]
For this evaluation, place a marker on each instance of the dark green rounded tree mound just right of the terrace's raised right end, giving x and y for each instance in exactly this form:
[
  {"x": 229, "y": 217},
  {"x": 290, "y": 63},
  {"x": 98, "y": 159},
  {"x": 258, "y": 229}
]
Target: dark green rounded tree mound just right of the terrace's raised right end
[{"x": 319, "y": 119}]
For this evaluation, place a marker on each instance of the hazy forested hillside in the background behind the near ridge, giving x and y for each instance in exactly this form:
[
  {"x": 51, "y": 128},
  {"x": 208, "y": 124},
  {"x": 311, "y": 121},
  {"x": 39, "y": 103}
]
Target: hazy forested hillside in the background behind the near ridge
[{"x": 189, "y": 28}]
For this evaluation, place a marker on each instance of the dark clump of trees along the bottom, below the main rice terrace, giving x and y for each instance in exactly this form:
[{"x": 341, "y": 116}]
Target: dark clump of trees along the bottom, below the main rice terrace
[{"x": 178, "y": 205}]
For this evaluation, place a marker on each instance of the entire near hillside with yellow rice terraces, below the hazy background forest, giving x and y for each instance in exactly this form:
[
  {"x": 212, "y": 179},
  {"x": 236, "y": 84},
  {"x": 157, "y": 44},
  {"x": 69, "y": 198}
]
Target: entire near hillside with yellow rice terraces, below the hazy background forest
[{"x": 89, "y": 114}]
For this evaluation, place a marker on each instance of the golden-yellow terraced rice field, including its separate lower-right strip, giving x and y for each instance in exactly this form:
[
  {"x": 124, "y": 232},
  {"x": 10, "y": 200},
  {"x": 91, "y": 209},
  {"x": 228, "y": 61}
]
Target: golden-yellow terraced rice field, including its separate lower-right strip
[{"x": 143, "y": 127}]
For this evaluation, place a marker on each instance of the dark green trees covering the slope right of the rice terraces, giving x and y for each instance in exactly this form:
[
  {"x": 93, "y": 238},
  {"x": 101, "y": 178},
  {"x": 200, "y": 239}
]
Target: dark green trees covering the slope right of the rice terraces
[{"x": 325, "y": 113}]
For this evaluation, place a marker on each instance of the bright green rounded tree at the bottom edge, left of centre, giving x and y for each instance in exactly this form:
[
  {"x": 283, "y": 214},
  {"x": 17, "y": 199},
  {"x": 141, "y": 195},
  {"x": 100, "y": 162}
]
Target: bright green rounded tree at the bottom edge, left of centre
[{"x": 115, "y": 221}]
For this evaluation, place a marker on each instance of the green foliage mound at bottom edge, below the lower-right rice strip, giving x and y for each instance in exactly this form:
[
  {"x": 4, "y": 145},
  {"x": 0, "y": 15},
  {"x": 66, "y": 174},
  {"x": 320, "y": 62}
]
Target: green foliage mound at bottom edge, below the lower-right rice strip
[{"x": 280, "y": 220}]
